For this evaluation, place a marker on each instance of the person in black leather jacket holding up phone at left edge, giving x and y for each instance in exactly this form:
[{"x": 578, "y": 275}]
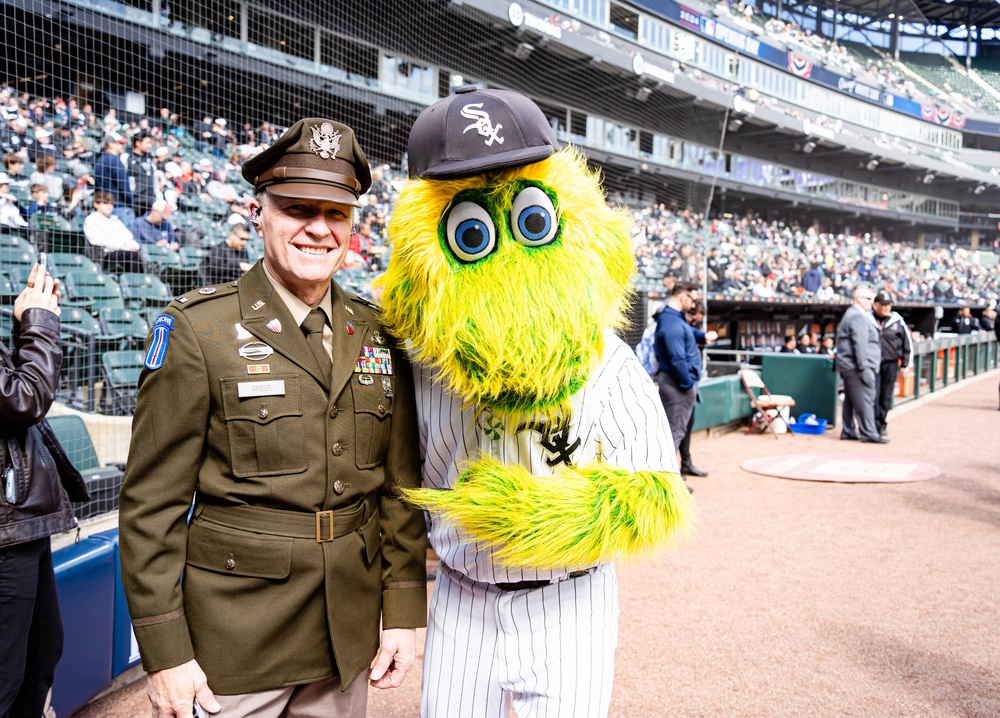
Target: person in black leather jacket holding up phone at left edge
[{"x": 33, "y": 503}]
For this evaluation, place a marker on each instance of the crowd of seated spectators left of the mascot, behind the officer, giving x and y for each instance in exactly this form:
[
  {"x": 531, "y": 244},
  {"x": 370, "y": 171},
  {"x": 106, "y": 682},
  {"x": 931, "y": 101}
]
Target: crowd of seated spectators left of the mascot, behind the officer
[{"x": 124, "y": 184}]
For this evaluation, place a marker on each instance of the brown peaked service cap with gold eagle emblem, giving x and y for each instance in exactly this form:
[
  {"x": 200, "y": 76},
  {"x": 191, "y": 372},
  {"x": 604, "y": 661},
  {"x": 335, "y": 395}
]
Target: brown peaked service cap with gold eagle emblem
[{"x": 315, "y": 159}]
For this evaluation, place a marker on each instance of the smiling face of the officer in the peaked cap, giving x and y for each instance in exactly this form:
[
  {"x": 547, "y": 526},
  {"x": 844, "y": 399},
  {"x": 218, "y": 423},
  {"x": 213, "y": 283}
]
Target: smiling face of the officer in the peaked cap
[{"x": 305, "y": 242}]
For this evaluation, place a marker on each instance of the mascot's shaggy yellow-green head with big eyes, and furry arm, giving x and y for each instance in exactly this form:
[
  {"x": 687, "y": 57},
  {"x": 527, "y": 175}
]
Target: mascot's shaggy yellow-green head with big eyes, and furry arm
[{"x": 504, "y": 285}]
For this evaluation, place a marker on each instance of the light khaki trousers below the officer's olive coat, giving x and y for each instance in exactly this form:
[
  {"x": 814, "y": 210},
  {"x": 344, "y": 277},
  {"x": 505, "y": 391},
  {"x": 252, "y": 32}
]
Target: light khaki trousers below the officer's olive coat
[{"x": 322, "y": 699}]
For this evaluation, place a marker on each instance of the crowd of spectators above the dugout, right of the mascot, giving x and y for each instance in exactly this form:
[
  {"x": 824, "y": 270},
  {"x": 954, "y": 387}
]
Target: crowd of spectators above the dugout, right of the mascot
[{"x": 751, "y": 257}]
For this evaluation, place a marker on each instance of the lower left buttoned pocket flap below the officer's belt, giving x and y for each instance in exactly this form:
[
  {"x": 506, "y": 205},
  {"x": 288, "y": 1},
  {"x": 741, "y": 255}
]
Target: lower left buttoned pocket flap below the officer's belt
[{"x": 237, "y": 552}]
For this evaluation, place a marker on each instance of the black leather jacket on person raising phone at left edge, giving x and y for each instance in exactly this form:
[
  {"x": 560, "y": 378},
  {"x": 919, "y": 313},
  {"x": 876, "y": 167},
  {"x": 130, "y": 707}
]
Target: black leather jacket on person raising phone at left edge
[{"x": 33, "y": 502}]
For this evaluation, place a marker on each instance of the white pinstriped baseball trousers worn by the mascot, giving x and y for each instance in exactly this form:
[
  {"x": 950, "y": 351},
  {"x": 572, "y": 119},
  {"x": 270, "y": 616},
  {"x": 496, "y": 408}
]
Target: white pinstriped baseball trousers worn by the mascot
[{"x": 547, "y": 651}]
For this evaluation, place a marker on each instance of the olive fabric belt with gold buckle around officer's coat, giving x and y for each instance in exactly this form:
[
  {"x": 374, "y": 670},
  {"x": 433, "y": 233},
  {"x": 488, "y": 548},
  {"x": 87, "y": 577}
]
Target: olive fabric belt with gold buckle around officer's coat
[{"x": 322, "y": 526}]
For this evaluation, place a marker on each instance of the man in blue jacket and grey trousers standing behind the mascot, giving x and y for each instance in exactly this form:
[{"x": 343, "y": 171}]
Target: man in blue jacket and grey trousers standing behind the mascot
[{"x": 676, "y": 348}]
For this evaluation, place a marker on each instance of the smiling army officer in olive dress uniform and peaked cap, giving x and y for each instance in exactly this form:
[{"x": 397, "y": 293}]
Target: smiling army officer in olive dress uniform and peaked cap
[{"x": 285, "y": 408}]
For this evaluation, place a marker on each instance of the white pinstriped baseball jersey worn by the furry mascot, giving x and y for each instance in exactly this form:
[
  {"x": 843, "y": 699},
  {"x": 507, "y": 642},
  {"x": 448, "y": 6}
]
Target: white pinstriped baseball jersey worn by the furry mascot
[{"x": 617, "y": 414}]
